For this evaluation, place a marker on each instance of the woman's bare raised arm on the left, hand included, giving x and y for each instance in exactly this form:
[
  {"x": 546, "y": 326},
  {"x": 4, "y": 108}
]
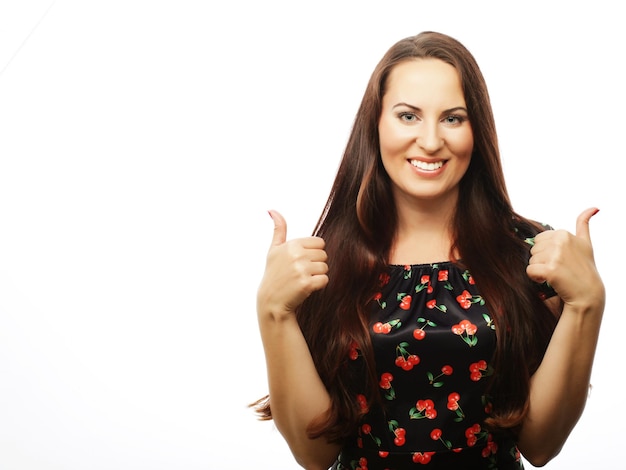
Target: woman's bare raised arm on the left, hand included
[{"x": 297, "y": 395}]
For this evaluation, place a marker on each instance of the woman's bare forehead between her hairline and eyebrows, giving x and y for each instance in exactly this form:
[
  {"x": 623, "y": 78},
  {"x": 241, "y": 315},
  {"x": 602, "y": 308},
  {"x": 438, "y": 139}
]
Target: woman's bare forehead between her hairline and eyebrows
[{"x": 417, "y": 80}]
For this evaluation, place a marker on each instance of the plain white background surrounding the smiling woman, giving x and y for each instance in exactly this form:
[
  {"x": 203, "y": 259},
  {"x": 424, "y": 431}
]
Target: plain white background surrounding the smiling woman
[{"x": 141, "y": 144}]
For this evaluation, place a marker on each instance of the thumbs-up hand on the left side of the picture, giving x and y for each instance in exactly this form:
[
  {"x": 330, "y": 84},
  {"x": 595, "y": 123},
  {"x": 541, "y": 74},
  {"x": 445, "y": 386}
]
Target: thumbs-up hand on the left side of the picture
[{"x": 294, "y": 269}]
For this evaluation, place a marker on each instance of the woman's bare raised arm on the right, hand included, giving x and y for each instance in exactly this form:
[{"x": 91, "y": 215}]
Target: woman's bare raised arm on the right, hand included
[{"x": 559, "y": 387}]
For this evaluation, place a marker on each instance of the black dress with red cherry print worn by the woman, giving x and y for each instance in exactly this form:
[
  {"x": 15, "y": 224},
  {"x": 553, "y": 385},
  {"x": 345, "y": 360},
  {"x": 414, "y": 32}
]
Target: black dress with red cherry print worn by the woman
[{"x": 433, "y": 341}]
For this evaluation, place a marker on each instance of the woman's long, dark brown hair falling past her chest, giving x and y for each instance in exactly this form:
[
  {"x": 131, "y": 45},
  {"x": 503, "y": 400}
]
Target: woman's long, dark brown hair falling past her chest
[{"x": 358, "y": 224}]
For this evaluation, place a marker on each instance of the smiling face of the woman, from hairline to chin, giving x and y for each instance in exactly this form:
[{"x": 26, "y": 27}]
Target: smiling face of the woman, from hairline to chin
[{"x": 426, "y": 139}]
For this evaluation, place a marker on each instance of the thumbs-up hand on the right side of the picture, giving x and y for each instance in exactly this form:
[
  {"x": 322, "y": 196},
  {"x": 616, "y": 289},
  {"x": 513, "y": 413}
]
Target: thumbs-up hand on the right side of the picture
[{"x": 566, "y": 262}]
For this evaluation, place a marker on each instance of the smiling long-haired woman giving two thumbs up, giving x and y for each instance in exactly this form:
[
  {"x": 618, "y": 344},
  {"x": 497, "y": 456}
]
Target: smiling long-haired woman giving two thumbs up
[{"x": 426, "y": 322}]
